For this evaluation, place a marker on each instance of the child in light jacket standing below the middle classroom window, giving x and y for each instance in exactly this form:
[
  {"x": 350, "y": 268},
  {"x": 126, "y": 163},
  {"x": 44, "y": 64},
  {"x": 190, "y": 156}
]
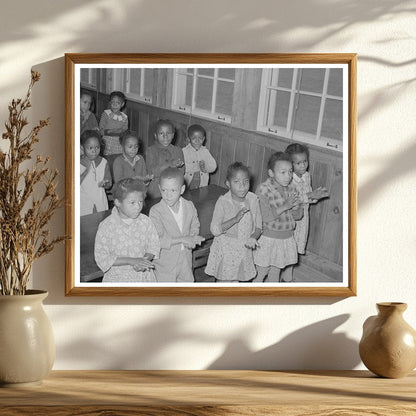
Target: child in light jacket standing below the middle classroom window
[{"x": 199, "y": 162}]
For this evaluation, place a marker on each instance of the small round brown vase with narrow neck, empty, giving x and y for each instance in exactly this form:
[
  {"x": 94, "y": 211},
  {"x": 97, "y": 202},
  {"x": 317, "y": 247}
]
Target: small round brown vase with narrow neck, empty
[{"x": 388, "y": 345}]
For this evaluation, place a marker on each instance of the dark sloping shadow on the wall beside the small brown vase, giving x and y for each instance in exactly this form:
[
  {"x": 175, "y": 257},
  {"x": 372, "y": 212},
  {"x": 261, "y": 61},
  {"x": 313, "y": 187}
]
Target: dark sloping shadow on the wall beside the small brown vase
[{"x": 314, "y": 347}]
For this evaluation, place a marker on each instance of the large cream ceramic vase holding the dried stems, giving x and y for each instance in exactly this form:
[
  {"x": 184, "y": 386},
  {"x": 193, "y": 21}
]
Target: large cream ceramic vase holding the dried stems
[{"x": 27, "y": 346}]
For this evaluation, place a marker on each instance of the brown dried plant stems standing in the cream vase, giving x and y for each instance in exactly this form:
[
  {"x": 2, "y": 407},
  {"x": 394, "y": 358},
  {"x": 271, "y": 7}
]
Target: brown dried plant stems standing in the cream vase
[{"x": 28, "y": 199}]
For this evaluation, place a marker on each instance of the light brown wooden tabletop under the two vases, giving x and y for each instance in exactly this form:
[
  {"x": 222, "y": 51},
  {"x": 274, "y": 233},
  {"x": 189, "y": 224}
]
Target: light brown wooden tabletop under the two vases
[{"x": 254, "y": 393}]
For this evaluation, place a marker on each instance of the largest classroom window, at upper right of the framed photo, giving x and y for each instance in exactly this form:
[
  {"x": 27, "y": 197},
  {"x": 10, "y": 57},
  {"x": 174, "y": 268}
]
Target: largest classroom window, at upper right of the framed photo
[{"x": 303, "y": 104}]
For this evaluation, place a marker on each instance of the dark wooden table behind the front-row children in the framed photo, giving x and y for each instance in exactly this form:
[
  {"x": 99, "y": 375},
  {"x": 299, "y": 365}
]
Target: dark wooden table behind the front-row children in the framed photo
[{"x": 204, "y": 200}]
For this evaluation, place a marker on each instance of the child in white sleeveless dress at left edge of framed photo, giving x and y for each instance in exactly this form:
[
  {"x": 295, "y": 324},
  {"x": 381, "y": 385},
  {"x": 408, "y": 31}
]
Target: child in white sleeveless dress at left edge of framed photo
[{"x": 95, "y": 175}]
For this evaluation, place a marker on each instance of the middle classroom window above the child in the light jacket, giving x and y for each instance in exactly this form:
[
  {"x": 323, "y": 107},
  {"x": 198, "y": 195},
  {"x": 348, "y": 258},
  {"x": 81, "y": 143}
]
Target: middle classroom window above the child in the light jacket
[{"x": 206, "y": 92}]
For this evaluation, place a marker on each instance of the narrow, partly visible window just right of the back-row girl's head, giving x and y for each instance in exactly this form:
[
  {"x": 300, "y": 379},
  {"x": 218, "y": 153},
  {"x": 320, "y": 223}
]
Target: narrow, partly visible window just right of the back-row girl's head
[{"x": 138, "y": 84}]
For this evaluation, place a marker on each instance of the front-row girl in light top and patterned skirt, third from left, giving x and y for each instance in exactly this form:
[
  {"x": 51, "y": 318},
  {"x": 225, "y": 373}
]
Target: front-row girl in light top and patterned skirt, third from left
[{"x": 236, "y": 226}]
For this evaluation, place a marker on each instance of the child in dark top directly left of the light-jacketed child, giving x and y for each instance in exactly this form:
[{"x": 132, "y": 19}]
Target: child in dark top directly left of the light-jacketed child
[{"x": 163, "y": 154}]
